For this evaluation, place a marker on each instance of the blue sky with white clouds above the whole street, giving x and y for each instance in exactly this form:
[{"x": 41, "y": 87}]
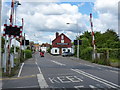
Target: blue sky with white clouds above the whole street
[{"x": 43, "y": 19}]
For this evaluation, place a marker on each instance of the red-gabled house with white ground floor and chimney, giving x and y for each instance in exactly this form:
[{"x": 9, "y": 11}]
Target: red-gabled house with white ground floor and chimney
[{"x": 61, "y": 44}]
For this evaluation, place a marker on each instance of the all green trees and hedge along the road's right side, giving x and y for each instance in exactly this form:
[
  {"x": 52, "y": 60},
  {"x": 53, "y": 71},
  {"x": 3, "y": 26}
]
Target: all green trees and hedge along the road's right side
[{"x": 106, "y": 43}]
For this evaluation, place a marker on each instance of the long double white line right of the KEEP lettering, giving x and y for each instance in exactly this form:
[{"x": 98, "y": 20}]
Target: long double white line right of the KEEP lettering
[{"x": 96, "y": 78}]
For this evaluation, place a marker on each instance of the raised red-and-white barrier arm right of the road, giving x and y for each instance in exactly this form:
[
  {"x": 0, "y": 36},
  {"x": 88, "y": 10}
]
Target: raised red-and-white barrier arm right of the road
[{"x": 93, "y": 38}]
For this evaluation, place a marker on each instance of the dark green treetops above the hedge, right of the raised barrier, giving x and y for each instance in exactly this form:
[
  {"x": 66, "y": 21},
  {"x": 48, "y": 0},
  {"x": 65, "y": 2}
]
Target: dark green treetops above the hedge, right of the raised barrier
[{"x": 109, "y": 39}]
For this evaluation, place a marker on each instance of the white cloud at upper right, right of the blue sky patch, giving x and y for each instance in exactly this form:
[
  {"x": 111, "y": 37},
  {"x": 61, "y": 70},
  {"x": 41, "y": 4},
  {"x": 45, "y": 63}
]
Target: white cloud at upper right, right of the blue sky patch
[{"x": 107, "y": 15}]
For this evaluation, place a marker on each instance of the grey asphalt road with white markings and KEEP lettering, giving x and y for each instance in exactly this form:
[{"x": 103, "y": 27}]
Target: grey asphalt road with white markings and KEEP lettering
[{"x": 57, "y": 72}]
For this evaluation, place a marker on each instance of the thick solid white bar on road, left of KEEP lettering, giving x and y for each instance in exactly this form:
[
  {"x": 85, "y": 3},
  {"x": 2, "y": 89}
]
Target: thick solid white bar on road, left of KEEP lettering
[{"x": 41, "y": 81}]
